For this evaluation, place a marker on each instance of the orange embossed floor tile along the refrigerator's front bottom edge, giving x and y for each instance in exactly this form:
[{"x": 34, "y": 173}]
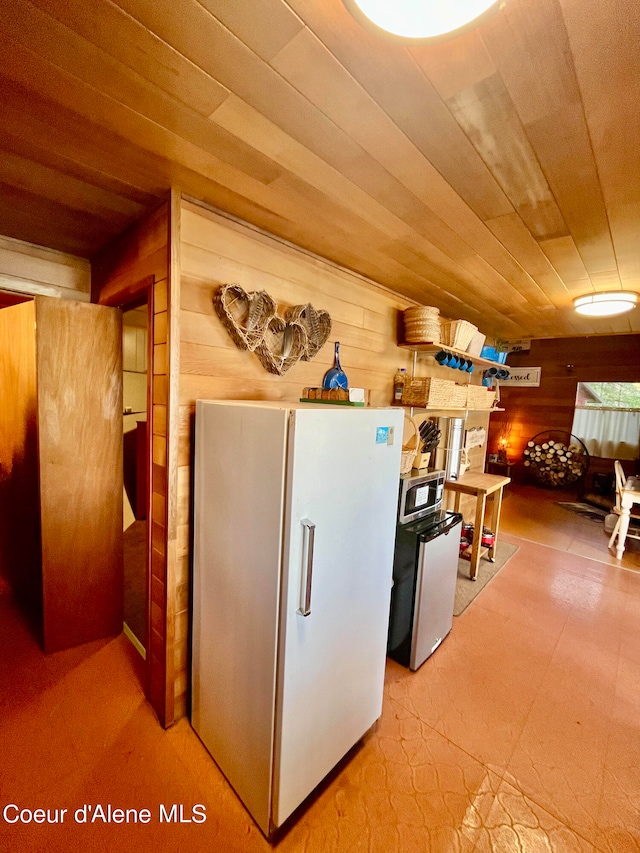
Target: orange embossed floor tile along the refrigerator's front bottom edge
[{"x": 408, "y": 789}]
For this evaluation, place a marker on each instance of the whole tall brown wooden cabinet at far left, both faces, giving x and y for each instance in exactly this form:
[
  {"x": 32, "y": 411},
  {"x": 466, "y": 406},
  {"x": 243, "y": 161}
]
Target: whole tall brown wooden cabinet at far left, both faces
[{"x": 61, "y": 455}]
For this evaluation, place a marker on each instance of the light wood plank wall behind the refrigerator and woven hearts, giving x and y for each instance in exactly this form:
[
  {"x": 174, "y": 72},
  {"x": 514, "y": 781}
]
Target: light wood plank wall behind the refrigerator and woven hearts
[{"x": 217, "y": 251}]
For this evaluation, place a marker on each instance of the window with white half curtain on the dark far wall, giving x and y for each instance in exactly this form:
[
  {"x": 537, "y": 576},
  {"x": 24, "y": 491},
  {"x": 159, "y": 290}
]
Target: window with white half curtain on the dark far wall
[{"x": 607, "y": 418}]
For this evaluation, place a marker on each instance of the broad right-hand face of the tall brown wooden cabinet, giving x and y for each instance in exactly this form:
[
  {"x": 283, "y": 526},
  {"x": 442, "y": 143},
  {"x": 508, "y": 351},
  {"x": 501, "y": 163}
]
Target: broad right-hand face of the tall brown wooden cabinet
[{"x": 79, "y": 377}]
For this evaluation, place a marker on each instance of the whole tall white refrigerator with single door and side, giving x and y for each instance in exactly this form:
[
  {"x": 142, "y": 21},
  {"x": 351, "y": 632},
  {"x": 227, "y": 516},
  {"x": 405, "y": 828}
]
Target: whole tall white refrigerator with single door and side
[{"x": 294, "y": 525}]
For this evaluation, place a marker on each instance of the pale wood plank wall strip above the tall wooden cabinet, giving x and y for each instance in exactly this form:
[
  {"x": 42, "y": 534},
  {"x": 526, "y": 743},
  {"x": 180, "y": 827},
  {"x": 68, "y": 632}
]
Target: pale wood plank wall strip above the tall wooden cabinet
[{"x": 35, "y": 270}]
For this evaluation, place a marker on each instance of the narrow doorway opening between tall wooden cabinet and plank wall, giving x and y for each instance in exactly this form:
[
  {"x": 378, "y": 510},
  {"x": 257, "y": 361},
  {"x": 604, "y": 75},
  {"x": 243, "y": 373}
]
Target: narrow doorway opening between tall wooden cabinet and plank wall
[{"x": 135, "y": 438}]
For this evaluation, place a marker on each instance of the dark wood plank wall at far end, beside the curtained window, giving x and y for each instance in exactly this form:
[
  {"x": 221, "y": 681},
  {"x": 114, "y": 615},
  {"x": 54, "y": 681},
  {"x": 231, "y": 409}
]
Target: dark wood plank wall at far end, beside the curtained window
[{"x": 564, "y": 362}]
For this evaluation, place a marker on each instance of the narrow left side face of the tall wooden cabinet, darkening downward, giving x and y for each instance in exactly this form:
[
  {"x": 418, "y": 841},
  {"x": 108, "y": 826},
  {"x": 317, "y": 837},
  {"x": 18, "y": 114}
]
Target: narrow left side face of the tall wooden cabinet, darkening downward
[{"x": 19, "y": 488}]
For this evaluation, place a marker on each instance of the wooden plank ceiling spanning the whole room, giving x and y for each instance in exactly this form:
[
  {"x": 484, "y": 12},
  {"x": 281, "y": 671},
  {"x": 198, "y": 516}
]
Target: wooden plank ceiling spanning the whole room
[{"x": 495, "y": 175}]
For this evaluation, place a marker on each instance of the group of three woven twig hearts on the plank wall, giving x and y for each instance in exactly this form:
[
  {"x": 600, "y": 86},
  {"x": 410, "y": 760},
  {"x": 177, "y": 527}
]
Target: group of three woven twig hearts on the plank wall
[{"x": 254, "y": 324}]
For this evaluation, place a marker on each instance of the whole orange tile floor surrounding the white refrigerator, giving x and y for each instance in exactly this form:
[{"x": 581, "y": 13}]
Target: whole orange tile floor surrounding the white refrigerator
[{"x": 521, "y": 733}]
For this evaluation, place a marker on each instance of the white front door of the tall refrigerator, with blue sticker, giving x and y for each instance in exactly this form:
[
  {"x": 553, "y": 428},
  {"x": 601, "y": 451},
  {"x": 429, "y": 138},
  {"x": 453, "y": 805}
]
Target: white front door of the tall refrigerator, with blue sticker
[{"x": 343, "y": 474}]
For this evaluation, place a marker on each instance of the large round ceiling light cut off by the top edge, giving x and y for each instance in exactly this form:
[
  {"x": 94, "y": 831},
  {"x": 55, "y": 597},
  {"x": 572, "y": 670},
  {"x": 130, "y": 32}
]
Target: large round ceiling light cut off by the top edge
[{"x": 422, "y": 19}]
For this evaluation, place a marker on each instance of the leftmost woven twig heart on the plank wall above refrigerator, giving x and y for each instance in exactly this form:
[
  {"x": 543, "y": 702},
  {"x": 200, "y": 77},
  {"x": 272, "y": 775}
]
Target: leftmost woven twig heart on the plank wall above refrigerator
[{"x": 245, "y": 315}]
